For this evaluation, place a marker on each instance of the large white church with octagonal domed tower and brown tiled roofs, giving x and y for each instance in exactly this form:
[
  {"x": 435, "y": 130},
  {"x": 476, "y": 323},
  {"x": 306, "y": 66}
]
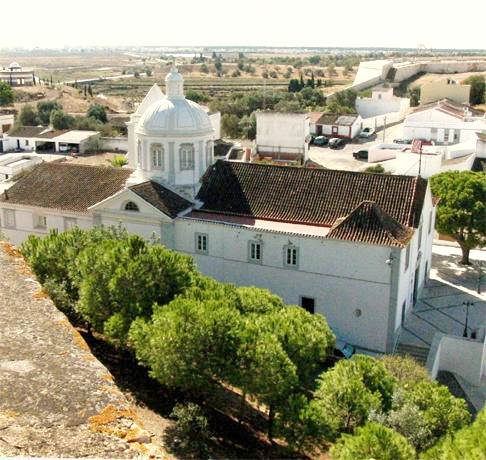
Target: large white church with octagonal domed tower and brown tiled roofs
[{"x": 355, "y": 247}]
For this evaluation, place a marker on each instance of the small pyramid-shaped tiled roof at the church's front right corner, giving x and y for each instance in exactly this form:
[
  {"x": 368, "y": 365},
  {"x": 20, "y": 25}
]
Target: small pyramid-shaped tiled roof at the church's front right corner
[{"x": 367, "y": 223}]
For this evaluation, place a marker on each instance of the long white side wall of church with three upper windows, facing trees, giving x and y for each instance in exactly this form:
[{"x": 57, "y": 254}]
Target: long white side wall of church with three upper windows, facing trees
[{"x": 341, "y": 276}]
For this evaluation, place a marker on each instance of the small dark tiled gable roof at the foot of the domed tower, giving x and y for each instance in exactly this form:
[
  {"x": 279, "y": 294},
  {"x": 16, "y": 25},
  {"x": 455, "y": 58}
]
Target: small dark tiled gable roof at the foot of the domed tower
[{"x": 165, "y": 200}]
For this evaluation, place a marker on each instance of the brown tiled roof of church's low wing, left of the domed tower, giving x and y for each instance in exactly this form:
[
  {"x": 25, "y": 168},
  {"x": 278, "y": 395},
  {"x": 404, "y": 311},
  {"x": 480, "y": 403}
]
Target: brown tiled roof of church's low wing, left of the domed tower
[{"x": 65, "y": 186}]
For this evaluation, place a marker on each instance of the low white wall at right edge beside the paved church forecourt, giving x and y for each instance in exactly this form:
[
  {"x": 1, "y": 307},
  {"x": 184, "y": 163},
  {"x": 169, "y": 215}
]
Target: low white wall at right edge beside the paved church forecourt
[{"x": 462, "y": 356}]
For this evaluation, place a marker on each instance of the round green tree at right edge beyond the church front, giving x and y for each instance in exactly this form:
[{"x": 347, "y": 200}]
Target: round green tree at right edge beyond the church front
[{"x": 461, "y": 212}]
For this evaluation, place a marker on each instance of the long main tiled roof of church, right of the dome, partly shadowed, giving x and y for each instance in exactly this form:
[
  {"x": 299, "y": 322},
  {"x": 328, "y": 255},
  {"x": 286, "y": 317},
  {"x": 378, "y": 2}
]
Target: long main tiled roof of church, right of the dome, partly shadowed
[{"x": 307, "y": 195}]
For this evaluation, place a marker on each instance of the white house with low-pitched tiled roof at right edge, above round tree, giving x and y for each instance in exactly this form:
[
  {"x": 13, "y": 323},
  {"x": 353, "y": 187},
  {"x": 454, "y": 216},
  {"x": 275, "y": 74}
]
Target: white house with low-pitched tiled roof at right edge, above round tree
[{"x": 444, "y": 122}]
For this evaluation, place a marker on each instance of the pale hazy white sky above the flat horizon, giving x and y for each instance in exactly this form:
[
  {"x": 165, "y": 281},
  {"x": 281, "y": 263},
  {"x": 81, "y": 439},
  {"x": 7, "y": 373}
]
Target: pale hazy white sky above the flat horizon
[{"x": 378, "y": 23}]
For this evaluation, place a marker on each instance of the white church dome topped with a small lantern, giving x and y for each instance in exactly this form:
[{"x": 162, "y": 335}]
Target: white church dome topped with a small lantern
[{"x": 174, "y": 115}]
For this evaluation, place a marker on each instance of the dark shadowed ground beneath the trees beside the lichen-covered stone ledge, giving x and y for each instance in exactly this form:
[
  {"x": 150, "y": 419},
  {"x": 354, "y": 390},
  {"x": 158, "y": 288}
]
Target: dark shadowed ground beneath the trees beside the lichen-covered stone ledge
[{"x": 232, "y": 437}]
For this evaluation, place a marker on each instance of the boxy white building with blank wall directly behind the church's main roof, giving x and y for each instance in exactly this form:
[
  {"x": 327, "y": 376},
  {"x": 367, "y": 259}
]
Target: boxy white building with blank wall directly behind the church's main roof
[{"x": 283, "y": 136}]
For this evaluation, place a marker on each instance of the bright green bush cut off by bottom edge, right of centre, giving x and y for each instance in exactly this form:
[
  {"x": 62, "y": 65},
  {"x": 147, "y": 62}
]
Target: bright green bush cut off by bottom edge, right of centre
[{"x": 373, "y": 441}]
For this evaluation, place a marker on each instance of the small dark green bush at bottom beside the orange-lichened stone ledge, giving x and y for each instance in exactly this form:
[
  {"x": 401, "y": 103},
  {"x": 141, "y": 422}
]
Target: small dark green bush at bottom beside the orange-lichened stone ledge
[{"x": 189, "y": 437}]
